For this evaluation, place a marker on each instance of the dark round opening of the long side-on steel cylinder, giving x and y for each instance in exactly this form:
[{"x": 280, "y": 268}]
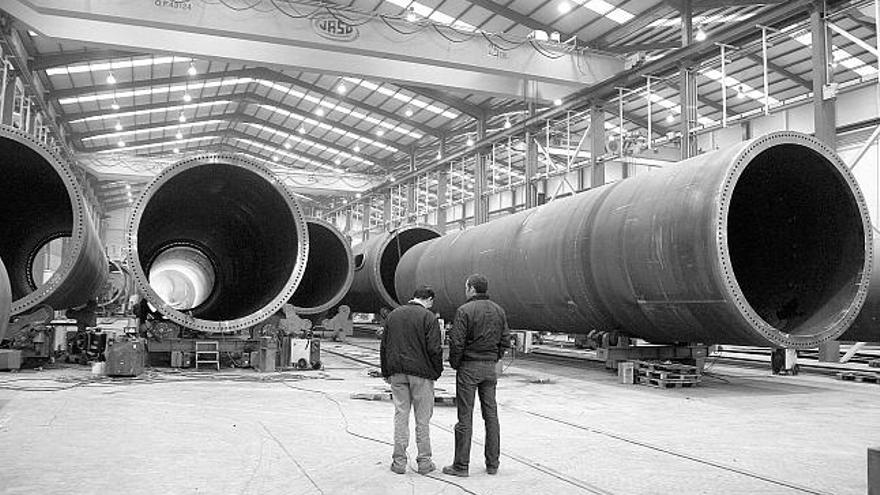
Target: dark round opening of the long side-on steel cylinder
[{"x": 796, "y": 239}]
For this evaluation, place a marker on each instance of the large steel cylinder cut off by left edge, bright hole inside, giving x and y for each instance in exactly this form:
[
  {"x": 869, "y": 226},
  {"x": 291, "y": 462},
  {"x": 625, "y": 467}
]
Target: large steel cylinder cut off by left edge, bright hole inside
[{"x": 40, "y": 202}]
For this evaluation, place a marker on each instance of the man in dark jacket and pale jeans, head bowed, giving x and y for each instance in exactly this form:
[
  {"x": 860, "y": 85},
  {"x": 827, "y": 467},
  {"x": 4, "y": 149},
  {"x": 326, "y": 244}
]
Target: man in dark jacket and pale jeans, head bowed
[{"x": 412, "y": 360}]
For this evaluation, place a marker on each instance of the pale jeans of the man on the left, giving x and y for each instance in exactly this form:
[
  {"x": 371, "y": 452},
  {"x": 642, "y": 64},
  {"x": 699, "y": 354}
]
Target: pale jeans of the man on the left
[{"x": 418, "y": 393}]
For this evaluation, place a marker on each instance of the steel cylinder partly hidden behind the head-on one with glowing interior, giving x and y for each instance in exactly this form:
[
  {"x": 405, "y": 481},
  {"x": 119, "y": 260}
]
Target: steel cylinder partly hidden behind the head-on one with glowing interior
[{"x": 329, "y": 271}]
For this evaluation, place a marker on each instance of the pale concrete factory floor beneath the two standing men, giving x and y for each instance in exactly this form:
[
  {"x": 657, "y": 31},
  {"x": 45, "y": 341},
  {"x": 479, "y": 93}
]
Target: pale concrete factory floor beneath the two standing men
[{"x": 565, "y": 429}]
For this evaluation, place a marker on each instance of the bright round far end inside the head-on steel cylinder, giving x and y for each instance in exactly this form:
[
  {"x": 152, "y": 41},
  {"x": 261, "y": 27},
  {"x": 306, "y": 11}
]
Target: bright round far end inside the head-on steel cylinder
[{"x": 182, "y": 276}]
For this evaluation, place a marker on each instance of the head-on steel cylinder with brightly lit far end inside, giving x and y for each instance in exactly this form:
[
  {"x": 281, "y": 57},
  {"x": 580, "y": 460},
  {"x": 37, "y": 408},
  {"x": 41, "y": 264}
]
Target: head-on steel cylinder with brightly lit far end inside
[{"x": 216, "y": 243}]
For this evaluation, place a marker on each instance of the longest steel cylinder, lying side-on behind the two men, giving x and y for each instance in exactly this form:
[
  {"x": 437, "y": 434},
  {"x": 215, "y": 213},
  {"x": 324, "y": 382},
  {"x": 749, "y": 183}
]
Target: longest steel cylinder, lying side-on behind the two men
[{"x": 765, "y": 243}]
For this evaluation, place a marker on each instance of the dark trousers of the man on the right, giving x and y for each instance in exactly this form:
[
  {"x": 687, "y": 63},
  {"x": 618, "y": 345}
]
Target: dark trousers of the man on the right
[{"x": 471, "y": 377}]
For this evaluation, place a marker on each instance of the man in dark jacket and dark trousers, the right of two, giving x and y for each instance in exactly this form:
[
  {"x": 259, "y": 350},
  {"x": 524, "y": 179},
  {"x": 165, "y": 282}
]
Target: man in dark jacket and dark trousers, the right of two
[{"x": 477, "y": 340}]
